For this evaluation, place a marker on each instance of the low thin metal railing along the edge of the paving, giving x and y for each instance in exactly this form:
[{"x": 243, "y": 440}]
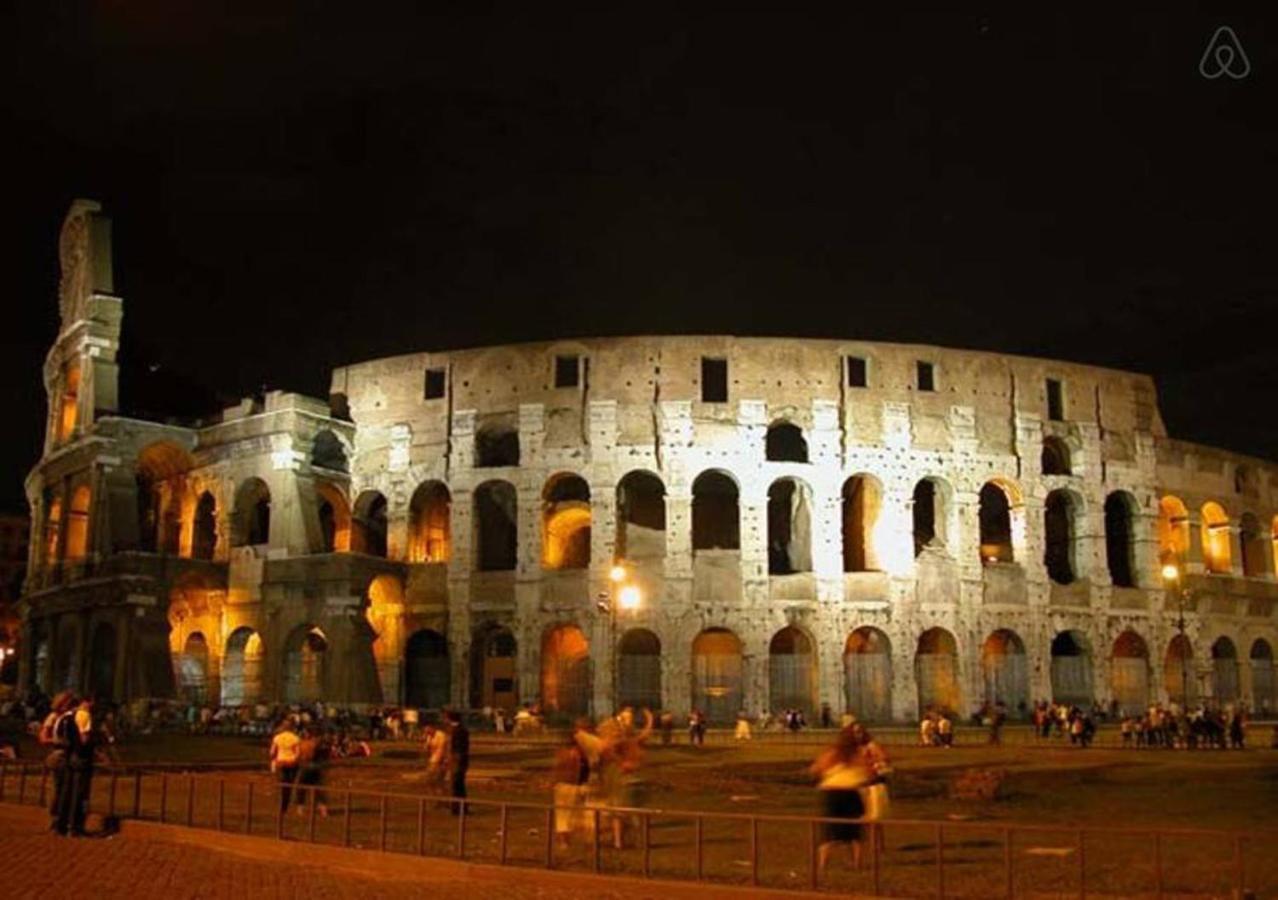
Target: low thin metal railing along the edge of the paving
[{"x": 206, "y": 801}]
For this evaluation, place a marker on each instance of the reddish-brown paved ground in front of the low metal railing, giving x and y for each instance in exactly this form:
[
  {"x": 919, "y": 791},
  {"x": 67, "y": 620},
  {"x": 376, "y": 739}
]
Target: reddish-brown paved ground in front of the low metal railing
[{"x": 148, "y": 860}]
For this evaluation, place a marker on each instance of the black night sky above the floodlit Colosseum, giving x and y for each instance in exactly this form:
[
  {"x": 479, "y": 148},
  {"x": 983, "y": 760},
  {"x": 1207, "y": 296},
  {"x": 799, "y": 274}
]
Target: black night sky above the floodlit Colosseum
[{"x": 297, "y": 192}]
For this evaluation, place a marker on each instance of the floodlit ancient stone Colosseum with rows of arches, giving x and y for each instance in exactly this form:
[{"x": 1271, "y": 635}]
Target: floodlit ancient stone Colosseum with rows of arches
[{"x": 712, "y": 522}]
